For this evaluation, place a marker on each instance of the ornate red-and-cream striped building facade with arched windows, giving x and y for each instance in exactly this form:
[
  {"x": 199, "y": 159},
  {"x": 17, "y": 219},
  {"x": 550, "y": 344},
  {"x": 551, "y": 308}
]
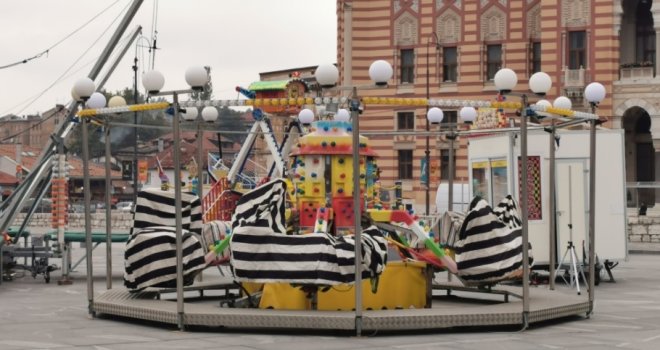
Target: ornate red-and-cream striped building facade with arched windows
[{"x": 451, "y": 49}]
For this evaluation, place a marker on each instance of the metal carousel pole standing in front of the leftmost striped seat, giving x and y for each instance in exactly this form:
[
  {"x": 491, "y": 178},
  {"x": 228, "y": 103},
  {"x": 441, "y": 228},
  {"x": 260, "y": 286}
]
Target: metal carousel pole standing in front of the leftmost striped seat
[{"x": 177, "y": 216}]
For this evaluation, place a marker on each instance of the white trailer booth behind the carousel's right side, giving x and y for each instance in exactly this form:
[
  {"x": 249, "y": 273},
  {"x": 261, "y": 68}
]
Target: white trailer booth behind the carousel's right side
[{"x": 494, "y": 173}]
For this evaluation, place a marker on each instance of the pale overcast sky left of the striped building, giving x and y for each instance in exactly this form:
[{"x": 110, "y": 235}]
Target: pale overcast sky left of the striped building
[{"x": 237, "y": 38}]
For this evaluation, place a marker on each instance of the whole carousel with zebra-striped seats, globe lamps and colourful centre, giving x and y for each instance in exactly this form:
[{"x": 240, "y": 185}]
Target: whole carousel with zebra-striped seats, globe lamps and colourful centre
[{"x": 319, "y": 214}]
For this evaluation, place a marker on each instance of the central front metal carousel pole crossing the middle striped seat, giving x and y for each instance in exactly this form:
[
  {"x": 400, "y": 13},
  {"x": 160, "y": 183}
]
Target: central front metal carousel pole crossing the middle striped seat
[{"x": 357, "y": 198}]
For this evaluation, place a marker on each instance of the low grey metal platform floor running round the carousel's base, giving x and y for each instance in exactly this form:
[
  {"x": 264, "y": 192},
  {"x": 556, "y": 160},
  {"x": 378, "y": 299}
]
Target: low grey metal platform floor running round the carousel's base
[{"x": 447, "y": 311}]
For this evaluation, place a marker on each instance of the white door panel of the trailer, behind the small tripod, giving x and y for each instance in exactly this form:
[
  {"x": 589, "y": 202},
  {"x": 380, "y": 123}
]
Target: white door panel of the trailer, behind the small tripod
[{"x": 571, "y": 206}]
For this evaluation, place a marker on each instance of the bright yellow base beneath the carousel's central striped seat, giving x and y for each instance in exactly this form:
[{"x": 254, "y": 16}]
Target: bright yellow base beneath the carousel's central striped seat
[{"x": 402, "y": 285}]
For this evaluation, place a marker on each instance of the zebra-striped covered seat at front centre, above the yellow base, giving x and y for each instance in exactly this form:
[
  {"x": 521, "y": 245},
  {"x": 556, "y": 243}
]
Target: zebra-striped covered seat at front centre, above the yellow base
[{"x": 261, "y": 251}]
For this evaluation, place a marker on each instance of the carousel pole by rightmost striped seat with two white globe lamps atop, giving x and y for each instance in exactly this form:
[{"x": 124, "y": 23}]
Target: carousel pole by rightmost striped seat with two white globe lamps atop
[{"x": 540, "y": 83}]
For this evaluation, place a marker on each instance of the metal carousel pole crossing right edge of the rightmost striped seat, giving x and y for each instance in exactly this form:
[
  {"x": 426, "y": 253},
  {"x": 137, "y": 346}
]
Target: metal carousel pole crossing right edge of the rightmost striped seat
[{"x": 524, "y": 212}]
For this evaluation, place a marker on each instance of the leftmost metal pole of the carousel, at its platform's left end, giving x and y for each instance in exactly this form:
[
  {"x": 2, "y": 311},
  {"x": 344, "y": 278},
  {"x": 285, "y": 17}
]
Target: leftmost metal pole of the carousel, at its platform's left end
[{"x": 88, "y": 216}]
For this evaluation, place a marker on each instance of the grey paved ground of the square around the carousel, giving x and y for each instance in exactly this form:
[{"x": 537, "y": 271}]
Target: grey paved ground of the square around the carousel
[{"x": 36, "y": 315}]
